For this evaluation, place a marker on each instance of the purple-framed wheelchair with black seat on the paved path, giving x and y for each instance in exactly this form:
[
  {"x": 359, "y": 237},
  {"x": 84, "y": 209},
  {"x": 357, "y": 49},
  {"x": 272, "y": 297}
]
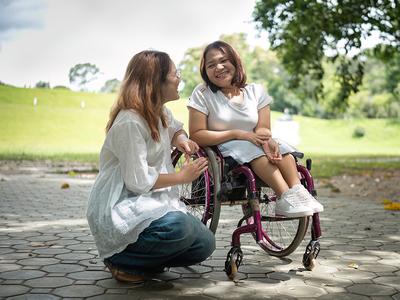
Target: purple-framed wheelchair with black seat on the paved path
[{"x": 228, "y": 183}]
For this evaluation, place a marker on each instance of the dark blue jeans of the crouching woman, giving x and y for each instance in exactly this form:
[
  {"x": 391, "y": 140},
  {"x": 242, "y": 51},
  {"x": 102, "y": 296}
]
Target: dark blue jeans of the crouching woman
[{"x": 175, "y": 240}]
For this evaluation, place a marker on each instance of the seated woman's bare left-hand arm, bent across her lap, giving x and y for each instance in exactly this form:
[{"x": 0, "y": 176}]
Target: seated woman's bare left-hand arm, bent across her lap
[{"x": 204, "y": 137}]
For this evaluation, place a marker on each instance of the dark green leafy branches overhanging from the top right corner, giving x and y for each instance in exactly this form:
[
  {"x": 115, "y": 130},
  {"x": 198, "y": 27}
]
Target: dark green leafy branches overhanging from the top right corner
[{"x": 303, "y": 32}]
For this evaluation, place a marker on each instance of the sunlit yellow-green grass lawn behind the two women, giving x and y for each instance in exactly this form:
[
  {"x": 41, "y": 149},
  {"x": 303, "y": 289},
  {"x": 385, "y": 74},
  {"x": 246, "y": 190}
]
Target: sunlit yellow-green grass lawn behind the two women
[{"x": 58, "y": 128}]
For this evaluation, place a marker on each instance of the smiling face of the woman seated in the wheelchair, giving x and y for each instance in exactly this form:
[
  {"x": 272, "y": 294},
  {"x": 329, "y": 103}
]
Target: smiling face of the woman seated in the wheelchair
[{"x": 219, "y": 68}]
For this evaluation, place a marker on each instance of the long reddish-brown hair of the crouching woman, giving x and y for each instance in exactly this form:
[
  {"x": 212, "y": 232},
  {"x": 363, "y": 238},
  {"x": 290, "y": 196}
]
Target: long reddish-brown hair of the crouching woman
[{"x": 141, "y": 89}]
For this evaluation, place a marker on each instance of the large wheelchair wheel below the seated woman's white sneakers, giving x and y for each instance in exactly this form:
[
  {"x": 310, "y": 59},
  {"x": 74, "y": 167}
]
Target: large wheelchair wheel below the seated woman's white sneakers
[{"x": 281, "y": 236}]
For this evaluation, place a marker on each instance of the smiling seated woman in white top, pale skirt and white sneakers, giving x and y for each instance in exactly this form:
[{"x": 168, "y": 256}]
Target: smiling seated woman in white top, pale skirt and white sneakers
[{"x": 227, "y": 112}]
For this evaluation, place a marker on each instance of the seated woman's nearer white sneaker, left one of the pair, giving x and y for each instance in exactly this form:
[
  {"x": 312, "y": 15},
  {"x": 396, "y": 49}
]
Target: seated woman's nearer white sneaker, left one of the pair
[{"x": 290, "y": 205}]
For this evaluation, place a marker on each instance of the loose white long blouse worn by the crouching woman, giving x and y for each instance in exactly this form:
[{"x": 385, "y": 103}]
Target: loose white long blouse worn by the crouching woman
[{"x": 122, "y": 203}]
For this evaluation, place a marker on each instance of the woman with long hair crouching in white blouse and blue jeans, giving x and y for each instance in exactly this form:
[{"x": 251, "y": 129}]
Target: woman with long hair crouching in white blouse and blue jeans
[{"x": 138, "y": 223}]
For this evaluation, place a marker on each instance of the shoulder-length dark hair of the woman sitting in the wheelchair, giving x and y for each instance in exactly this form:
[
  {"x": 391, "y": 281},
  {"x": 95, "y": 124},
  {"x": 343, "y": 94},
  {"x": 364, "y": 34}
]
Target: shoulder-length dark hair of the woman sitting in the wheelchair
[{"x": 239, "y": 79}]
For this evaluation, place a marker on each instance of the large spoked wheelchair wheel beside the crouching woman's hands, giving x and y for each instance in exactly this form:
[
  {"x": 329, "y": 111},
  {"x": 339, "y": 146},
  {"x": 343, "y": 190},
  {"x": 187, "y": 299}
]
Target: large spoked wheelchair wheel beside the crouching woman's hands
[{"x": 200, "y": 196}]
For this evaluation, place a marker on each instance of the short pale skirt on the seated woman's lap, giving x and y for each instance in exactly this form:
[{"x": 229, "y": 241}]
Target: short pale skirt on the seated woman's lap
[{"x": 244, "y": 151}]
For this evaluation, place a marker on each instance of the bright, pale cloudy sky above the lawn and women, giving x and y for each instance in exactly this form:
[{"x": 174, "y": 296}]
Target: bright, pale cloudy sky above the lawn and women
[{"x": 43, "y": 39}]
